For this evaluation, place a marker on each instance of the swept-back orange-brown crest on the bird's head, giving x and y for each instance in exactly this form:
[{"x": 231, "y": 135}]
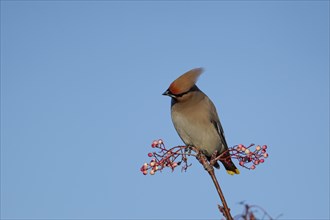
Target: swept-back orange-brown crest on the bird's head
[{"x": 185, "y": 81}]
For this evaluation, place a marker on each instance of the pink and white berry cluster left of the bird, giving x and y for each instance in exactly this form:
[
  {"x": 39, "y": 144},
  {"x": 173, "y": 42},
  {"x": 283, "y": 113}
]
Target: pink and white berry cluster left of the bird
[{"x": 165, "y": 158}]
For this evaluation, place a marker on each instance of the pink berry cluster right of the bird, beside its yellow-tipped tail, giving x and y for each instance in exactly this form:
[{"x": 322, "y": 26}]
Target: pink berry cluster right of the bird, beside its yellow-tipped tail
[{"x": 248, "y": 158}]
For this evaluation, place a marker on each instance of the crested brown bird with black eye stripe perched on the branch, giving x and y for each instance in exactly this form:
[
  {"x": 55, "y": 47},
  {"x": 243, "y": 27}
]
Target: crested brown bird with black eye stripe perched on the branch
[{"x": 196, "y": 120}]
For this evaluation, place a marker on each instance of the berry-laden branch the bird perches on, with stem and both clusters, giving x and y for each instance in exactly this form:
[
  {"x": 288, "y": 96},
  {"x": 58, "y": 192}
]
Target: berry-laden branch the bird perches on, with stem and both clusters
[{"x": 178, "y": 155}]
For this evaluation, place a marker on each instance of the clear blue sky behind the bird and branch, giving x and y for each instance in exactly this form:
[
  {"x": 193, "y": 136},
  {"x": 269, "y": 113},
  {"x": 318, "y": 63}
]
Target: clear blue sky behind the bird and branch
[{"x": 81, "y": 85}]
